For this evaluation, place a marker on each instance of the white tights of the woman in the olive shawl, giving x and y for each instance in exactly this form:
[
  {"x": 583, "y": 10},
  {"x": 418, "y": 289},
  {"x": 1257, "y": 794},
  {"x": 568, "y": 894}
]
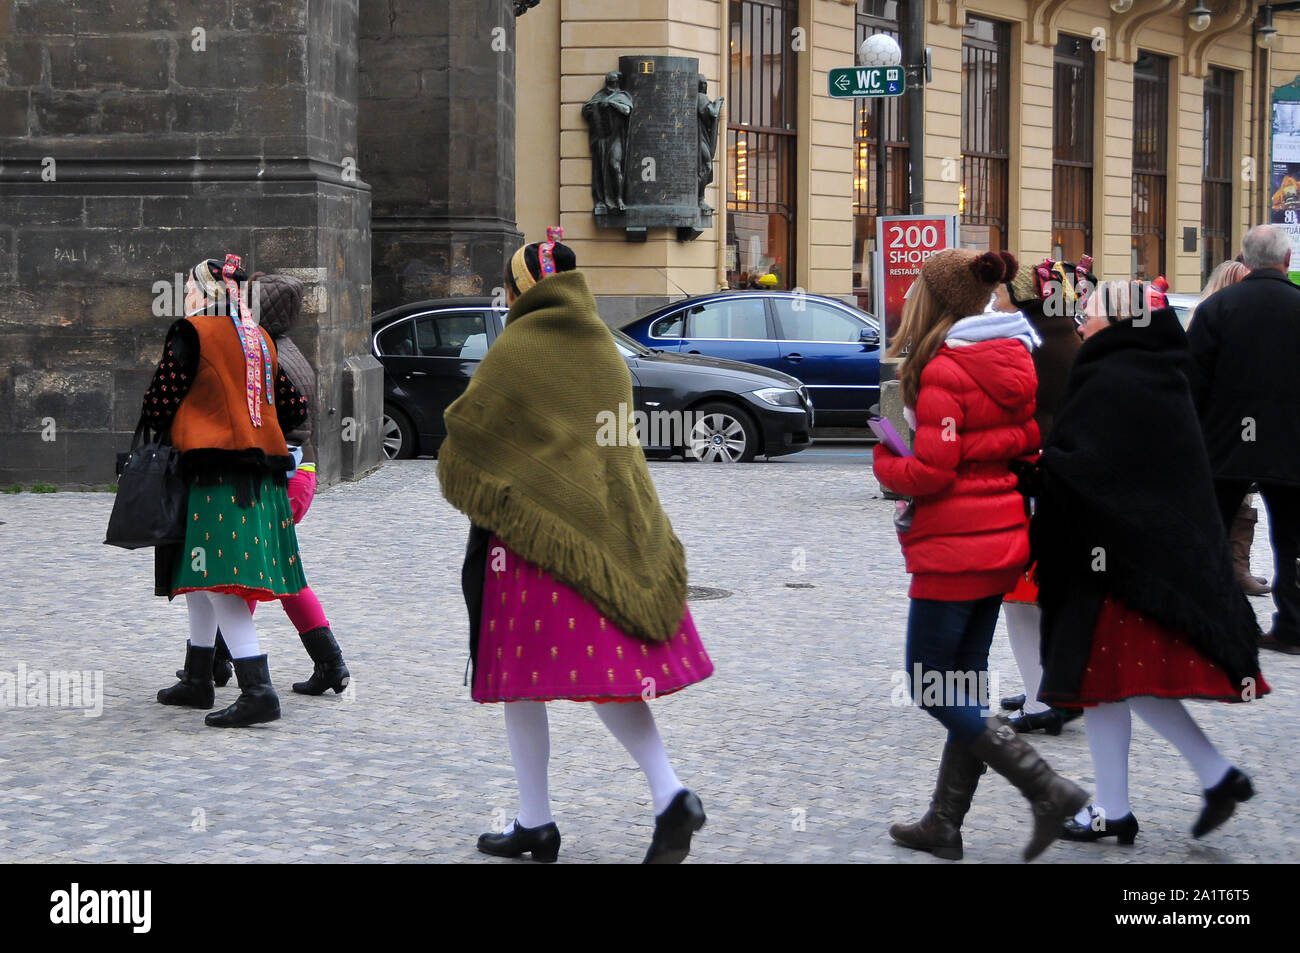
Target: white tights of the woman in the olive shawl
[{"x": 632, "y": 724}]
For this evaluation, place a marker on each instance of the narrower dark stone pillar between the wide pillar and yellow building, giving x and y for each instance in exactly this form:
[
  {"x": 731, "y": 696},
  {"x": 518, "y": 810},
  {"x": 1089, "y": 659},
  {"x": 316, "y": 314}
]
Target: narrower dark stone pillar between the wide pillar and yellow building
[{"x": 437, "y": 141}]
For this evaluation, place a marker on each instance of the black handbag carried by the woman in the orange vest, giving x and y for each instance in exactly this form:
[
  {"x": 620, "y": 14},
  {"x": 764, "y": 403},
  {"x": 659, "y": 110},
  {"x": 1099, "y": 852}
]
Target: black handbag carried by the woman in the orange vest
[{"x": 151, "y": 504}]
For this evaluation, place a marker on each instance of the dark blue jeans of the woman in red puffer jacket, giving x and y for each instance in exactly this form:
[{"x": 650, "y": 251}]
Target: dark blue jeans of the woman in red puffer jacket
[{"x": 951, "y": 642}]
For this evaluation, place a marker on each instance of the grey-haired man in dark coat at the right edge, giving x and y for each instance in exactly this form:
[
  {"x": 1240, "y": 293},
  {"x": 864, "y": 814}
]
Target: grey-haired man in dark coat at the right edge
[{"x": 1246, "y": 348}]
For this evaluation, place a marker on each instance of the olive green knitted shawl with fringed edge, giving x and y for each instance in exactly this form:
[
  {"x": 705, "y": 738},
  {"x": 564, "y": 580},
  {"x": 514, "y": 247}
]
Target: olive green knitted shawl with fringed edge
[{"x": 522, "y": 460}]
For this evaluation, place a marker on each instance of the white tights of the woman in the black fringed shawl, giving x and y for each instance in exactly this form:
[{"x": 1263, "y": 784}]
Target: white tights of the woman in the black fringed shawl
[{"x": 1110, "y": 730}]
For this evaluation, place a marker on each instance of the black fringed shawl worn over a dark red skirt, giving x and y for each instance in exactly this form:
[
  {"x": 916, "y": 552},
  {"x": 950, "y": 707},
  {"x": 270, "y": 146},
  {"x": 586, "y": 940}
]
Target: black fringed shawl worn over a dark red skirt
[{"x": 1126, "y": 509}]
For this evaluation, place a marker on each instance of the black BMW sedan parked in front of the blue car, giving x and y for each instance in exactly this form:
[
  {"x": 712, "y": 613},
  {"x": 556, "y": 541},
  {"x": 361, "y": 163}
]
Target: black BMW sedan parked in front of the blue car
[{"x": 701, "y": 409}]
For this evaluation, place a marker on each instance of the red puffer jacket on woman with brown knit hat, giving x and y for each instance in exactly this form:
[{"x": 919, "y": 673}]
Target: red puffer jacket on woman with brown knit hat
[{"x": 969, "y": 536}]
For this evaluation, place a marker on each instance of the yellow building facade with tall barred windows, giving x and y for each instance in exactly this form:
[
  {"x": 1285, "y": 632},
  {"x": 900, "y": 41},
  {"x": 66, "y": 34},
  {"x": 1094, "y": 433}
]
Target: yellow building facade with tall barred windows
[{"x": 1051, "y": 127}]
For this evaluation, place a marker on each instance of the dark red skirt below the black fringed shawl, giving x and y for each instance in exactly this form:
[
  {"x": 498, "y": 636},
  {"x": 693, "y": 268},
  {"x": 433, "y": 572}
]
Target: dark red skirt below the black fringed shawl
[{"x": 1134, "y": 656}]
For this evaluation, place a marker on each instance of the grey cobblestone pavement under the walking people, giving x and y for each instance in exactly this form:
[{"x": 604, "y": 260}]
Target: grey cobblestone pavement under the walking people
[{"x": 795, "y": 746}]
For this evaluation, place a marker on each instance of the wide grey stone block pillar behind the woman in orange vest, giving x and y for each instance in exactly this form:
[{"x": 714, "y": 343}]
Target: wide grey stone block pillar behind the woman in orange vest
[{"x": 137, "y": 140}]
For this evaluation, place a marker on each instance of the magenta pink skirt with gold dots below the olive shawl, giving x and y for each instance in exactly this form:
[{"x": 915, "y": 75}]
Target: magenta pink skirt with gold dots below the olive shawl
[{"x": 541, "y": 642}]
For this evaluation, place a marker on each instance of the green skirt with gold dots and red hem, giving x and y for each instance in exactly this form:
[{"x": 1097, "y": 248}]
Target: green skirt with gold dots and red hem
[{"x": 249, "y": 552}]
